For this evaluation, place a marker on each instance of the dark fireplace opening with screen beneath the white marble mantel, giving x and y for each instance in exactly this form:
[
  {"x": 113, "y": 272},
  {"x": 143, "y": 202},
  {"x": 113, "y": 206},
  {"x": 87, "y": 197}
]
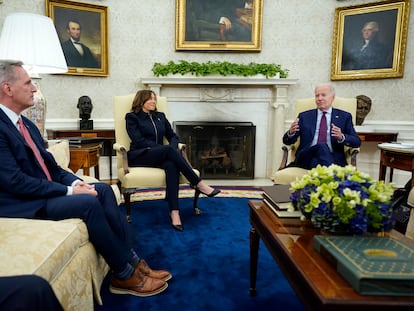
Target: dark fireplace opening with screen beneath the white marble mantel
[{"x": 219, "y": 150}]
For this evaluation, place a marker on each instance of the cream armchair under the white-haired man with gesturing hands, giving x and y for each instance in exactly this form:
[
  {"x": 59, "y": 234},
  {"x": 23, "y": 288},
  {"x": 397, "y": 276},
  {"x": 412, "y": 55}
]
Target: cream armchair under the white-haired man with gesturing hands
[{"x": 285, "y": 175}]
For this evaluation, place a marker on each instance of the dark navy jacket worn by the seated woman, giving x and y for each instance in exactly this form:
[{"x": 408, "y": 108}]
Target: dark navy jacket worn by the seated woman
[{"x": 148, "y": 130}]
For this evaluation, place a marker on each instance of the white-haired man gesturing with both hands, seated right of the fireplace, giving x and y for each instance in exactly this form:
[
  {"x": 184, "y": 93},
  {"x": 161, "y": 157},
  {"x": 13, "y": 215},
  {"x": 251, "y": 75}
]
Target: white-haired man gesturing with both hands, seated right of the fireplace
[{"x": 328, "y": 148}]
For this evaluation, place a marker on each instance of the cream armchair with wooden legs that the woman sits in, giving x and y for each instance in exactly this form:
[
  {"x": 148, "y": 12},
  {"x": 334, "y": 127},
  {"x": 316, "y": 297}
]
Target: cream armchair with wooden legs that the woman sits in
[{"x": 133, "y": 178}]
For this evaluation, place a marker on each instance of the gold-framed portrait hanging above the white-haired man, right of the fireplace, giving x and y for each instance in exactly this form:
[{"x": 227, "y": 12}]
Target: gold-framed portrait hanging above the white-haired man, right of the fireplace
[{"x": 386, "y": 24}]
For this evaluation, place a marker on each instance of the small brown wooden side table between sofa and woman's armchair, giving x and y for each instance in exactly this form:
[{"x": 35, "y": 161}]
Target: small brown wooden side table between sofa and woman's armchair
[{"x": 85, "y": 157}]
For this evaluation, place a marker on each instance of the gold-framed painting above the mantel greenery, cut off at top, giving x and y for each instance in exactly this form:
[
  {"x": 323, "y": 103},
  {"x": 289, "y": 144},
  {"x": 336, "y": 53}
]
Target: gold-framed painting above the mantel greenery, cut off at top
[{"x": 201, "y": 25}]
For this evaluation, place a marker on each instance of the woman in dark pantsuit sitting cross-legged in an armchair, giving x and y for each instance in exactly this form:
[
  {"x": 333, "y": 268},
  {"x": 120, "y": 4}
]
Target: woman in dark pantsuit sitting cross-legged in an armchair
[{"x": 147, "y": 128}]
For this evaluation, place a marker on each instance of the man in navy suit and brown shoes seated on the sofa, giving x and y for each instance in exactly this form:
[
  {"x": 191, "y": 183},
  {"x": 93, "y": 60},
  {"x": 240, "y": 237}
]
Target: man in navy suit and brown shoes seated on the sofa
[{"x": 33, "y": 185}]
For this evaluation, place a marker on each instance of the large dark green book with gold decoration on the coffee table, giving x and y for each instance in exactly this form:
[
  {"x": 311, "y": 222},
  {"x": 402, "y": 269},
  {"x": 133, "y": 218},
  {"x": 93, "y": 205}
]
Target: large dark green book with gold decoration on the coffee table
[{"x": 372, "y": 265}]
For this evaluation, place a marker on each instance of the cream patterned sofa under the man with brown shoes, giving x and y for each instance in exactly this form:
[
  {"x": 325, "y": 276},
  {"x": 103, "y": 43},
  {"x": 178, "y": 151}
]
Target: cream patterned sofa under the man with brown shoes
[{"x": 58, "y": 251}]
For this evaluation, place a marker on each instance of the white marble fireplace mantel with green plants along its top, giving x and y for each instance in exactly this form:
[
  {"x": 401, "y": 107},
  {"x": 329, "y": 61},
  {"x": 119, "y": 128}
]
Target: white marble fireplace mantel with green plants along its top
[{"x": 235, "y": 89}]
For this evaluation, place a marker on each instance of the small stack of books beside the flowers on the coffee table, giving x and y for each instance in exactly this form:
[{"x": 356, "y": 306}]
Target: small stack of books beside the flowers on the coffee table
[{"x": 277, "y": 197}]
